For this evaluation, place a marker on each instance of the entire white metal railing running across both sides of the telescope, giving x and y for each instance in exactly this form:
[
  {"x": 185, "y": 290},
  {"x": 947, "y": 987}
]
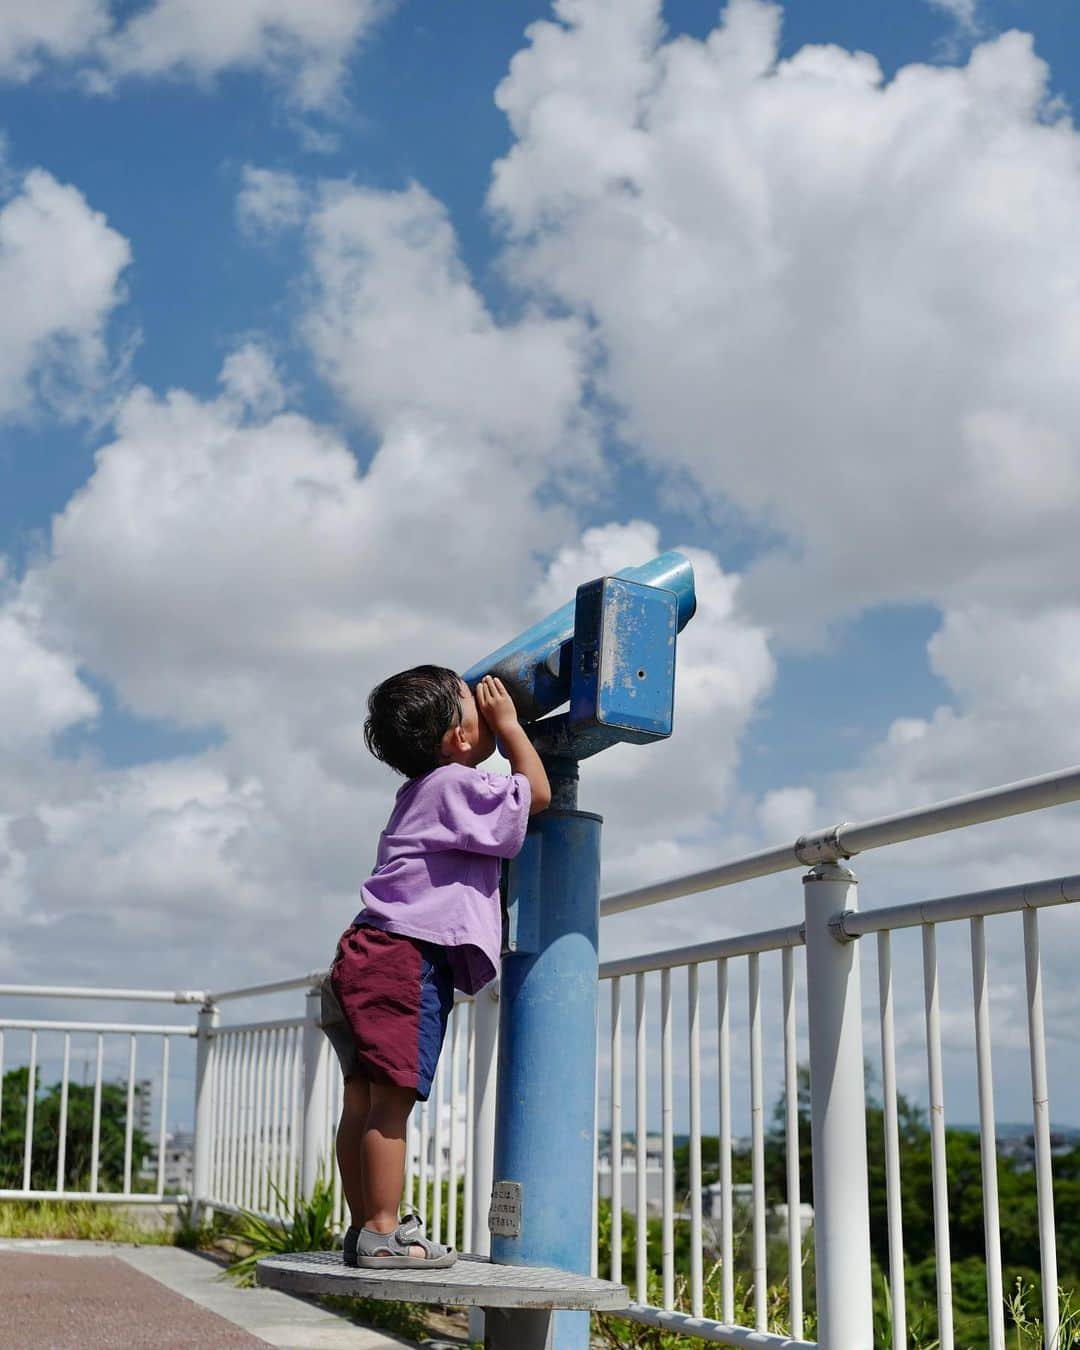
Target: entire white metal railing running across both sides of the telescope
[{"x": 267, "y": 1096}]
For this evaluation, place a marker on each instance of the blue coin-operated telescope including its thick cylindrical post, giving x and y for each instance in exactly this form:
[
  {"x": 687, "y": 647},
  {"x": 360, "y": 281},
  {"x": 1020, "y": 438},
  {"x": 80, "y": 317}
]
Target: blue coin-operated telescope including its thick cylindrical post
[{"x": 611, "y": 657}]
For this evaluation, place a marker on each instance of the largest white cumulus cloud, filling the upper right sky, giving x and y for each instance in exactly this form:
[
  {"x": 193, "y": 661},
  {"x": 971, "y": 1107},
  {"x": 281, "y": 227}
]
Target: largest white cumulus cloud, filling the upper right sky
[{"x": 850, "y": 307}]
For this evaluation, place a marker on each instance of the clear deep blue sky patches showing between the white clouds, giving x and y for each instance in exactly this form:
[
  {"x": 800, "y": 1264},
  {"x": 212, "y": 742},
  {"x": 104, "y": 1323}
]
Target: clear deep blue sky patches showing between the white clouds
[{"x": 163, "y": 161}]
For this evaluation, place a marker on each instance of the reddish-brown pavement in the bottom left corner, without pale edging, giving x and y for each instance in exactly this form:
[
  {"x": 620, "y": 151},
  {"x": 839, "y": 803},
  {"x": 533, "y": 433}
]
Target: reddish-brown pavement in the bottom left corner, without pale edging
[{"x": 101, "y": 1303}]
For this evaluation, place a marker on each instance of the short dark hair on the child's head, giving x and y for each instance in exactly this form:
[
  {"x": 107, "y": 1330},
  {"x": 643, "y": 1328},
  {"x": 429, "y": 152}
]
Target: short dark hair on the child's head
[{"x": 408, "y": 716}]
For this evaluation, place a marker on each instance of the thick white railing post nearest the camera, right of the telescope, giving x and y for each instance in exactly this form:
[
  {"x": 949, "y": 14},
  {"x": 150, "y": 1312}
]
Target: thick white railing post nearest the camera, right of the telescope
[{"x": 839, "y": 1120}]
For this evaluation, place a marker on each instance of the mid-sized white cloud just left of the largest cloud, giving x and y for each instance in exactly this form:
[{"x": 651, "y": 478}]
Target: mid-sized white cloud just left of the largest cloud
[{"x": 398, "y": 325}]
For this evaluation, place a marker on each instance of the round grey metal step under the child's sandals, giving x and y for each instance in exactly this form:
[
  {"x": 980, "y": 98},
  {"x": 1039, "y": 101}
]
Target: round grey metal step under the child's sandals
[{"x": 470, "y": 1283}]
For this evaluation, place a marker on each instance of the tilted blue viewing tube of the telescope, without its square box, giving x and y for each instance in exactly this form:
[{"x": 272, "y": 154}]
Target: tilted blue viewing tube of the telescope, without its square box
[{"x": 538, "y": 668}]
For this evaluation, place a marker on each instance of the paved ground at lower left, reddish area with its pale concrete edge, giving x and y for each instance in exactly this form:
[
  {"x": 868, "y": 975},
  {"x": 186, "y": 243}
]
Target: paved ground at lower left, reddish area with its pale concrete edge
[{"x": 103, "y": 1295}]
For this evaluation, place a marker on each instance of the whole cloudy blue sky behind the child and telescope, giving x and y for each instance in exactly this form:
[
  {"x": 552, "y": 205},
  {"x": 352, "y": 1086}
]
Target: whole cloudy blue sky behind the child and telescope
[{"x": 720, "y": 287}]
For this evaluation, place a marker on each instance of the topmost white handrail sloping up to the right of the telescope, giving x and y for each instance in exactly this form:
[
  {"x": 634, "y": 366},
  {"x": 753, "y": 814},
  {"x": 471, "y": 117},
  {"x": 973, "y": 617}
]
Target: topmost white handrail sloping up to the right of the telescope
[{"x": 844, "y": 840}]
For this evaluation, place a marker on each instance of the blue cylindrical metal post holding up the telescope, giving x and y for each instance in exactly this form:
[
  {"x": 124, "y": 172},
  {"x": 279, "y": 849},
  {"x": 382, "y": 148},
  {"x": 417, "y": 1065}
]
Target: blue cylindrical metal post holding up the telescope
[{"x": 549, "y": 1059}]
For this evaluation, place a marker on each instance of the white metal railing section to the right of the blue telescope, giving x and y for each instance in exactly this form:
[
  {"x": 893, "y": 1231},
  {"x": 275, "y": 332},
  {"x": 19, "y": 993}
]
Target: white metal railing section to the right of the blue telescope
[{"x": 843, "y": 1289}]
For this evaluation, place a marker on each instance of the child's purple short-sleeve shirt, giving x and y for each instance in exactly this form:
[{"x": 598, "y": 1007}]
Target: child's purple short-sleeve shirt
[{"x": 438, "y": 865}]
